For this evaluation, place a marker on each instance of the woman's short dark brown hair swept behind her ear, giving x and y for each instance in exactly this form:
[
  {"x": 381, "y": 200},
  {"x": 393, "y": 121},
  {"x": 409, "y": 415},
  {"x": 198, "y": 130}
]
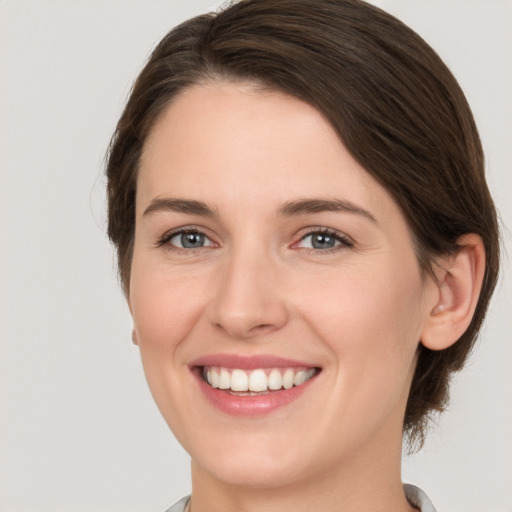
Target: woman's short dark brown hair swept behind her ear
[{"x": 395, "y": 105}]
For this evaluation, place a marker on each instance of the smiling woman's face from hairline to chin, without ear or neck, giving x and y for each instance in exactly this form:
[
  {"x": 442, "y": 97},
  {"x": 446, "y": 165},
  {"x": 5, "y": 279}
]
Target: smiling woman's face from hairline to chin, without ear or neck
[{"x": 265, "y": 255}]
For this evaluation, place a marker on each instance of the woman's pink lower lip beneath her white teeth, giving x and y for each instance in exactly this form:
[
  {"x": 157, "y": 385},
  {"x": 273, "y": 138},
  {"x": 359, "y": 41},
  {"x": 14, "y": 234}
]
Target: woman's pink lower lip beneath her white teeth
[{"x": 255, "y": 405}]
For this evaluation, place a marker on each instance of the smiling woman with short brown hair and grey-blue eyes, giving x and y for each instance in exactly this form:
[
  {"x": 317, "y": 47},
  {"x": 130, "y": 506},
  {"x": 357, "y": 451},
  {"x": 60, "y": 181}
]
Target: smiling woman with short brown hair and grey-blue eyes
[{"x": 307, "y": 246}]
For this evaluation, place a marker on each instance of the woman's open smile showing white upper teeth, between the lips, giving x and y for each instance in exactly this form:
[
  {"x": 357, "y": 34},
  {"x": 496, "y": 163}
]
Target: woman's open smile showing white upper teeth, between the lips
[{"x": 258, "y": 381}]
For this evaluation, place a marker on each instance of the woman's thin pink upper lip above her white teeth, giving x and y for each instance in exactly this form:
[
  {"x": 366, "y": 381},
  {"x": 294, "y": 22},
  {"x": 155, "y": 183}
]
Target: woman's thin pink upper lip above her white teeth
[{"x": 249, "y": 362}]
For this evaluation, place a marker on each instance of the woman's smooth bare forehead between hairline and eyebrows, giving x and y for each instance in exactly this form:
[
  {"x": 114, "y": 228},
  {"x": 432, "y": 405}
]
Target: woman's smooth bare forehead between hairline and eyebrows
[{"x": 228, "y": 141}]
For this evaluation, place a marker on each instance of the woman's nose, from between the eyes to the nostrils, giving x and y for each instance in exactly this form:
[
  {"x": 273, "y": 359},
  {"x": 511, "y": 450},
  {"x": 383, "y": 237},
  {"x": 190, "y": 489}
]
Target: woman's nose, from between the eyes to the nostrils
[{"x": 249, "y": 302}]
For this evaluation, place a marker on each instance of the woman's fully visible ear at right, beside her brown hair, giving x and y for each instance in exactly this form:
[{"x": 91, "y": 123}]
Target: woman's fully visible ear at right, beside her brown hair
[{"x": 456, "y": 291}]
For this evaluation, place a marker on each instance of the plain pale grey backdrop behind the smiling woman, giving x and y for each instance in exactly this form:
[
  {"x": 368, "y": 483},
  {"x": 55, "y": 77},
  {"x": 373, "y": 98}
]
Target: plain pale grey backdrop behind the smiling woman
[{"x": 78, "y": 428}]
